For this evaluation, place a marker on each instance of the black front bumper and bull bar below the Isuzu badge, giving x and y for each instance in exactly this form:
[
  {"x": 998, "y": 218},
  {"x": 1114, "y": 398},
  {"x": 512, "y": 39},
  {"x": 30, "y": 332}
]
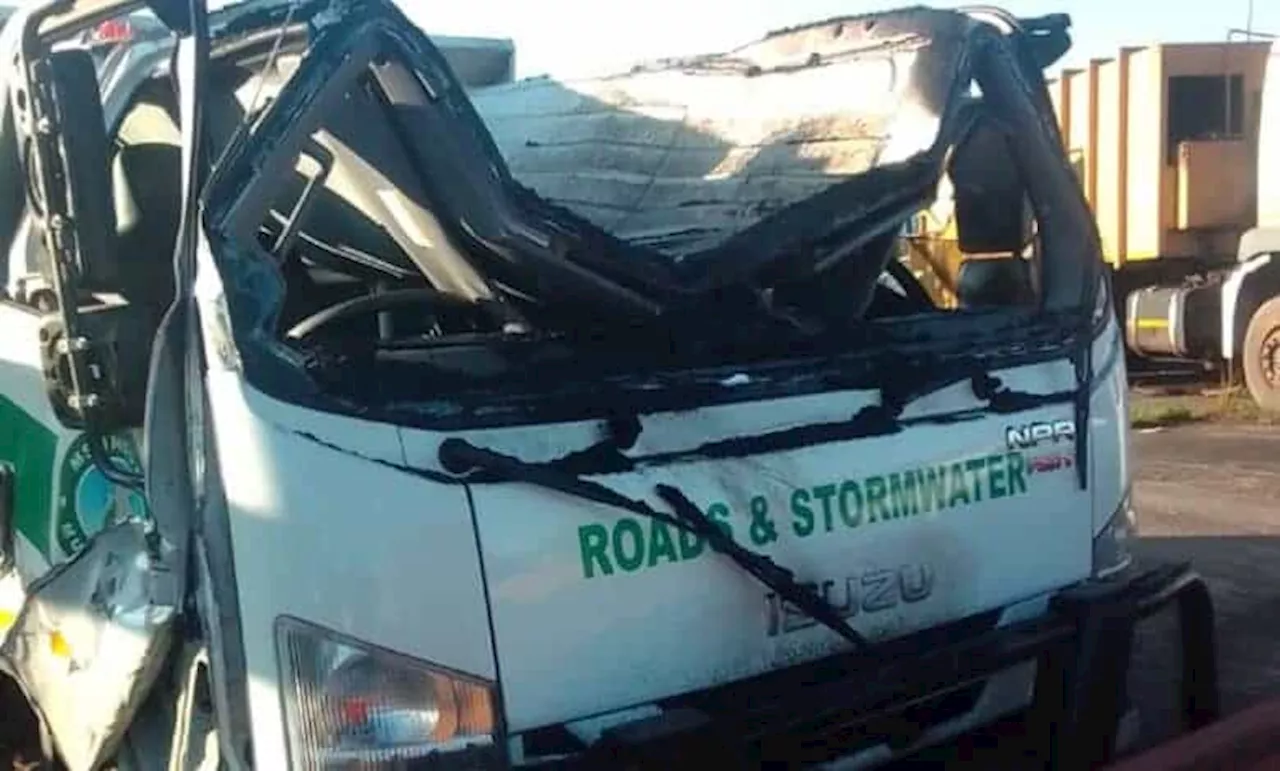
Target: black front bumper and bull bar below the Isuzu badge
[{"x": 835, "y": 708}]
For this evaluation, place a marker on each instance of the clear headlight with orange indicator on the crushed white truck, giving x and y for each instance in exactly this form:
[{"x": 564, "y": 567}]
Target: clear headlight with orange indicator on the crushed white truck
[{"x": 349, "y": 705}]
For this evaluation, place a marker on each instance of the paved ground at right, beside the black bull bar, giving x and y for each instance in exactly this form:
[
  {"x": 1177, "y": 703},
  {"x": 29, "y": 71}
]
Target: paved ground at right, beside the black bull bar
[{"x": 1212, "y": 495}]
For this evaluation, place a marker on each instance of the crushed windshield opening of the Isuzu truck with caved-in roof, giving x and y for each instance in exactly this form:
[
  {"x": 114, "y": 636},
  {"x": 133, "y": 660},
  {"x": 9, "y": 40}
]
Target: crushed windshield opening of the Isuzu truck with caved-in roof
[{"x": 737, "y": 208}]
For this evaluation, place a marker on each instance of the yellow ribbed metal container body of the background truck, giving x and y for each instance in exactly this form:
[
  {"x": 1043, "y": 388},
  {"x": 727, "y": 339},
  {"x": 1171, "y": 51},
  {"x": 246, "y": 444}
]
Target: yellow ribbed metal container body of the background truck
[{"x": 1165, "y": 140}]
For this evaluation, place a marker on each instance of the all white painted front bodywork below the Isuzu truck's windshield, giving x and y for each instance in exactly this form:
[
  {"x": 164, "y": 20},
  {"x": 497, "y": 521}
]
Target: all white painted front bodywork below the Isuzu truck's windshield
[{"x": 307, "y": 521}]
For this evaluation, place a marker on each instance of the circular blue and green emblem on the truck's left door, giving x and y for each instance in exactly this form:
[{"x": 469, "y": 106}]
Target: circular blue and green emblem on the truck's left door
[{"x": 86, "y": 500}]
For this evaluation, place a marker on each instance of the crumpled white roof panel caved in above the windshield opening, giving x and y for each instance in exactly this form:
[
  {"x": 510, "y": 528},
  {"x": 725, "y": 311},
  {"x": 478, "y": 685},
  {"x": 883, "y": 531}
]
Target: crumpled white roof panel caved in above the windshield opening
[{"x": 679, "y": 156}]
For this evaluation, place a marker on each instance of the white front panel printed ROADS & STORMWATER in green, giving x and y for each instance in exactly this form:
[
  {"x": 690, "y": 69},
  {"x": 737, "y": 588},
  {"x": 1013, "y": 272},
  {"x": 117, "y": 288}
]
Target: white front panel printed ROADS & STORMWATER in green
[{"x": 596, "y": 610}]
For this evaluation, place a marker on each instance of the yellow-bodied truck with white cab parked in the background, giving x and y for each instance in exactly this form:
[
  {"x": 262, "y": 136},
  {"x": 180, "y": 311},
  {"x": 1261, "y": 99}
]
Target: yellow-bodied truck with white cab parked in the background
[{"x": 1177, "y": 148}]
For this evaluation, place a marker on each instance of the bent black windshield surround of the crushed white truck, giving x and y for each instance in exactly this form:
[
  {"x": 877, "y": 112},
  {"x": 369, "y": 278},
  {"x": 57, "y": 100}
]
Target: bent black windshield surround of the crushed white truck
[{"x": 647, "y": 358}]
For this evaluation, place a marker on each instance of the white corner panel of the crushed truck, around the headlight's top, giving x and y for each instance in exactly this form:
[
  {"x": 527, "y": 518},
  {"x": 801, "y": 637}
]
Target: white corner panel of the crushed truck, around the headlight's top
[{"x": 342, "y": 542}]
